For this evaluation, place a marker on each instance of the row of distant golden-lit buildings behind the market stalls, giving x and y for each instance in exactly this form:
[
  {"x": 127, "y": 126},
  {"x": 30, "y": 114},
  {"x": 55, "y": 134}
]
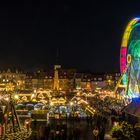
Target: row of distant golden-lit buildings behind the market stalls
[{"x": 57, "y": 79}]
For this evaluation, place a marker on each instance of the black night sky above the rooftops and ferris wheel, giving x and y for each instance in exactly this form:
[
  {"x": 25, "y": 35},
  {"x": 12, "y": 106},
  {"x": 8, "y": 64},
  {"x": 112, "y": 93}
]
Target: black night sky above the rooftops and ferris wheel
[{"x": 87, "y": 33}]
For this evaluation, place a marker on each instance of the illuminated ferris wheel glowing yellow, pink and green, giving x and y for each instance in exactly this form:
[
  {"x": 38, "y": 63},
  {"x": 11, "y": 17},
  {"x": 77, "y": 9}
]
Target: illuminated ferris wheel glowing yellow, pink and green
[{"x": 130, "y": 58}]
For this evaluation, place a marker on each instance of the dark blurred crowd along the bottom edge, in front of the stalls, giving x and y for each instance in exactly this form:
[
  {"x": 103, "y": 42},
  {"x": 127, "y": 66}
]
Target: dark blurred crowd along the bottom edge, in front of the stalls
[{"x": 98, "y": 125}]
